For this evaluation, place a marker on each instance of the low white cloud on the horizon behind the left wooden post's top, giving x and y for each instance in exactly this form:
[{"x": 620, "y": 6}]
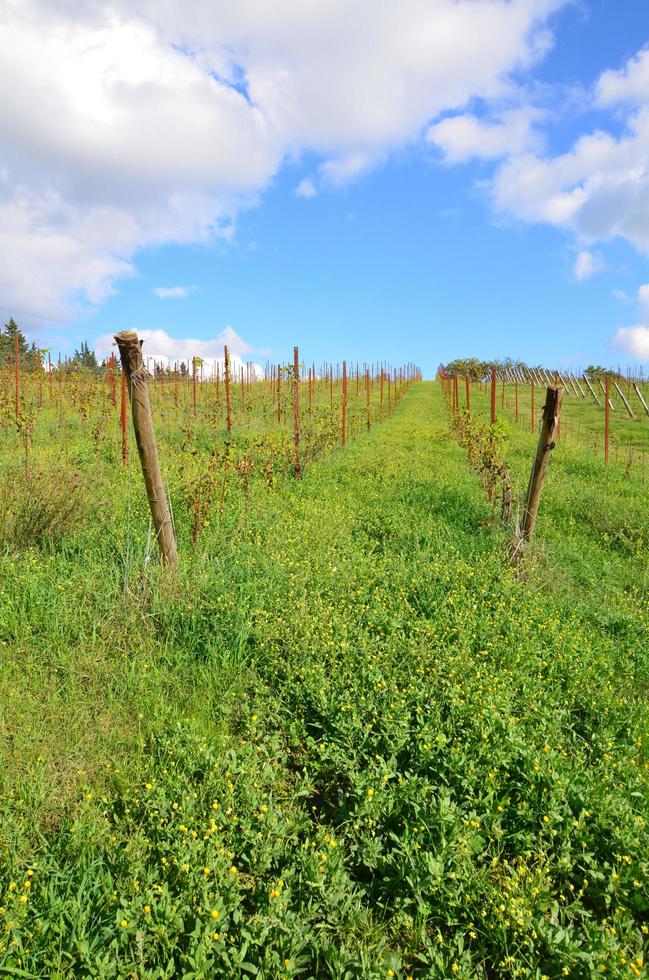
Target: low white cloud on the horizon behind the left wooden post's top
[{"x": 161, "y": 347}]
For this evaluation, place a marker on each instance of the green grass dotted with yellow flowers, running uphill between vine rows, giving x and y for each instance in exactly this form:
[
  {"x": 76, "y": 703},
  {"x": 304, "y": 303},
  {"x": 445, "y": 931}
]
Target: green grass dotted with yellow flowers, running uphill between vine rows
[{"x": 346, "y": 740}]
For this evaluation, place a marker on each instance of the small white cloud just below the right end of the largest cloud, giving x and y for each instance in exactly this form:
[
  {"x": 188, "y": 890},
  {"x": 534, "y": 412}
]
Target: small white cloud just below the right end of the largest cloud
[{"x": 462, "y": 137}]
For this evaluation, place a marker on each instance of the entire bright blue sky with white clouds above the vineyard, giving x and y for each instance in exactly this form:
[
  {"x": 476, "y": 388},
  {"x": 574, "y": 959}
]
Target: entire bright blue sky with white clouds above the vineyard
[{"x": 498, "y": 205}]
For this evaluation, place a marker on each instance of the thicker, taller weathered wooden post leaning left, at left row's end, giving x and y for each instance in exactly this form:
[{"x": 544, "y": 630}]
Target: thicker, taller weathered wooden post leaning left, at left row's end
[{"x": 130, "y": 351}]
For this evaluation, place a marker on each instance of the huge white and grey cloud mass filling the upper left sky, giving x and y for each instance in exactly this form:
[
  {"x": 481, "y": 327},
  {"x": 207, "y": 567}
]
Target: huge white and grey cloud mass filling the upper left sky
[{"x": 133, "y": 123}]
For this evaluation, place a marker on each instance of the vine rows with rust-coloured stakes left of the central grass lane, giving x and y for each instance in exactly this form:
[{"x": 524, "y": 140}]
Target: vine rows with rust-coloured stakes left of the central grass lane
[{"x": 218, "y": 434}]
